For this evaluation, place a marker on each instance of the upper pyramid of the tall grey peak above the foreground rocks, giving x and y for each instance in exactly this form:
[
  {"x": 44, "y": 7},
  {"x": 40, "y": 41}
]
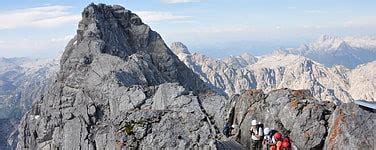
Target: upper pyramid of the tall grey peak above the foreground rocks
[{"x": 111, "y": 35}]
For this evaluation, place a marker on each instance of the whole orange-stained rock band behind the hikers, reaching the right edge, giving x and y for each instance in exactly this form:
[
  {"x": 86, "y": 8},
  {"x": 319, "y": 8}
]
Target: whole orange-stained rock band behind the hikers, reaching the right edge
[{"x": 309, "y": 123}]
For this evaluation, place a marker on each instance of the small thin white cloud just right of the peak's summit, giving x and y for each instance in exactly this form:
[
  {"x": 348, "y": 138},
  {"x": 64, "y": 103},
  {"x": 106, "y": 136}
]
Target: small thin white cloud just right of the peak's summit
[{"x": 155, "y": 16}]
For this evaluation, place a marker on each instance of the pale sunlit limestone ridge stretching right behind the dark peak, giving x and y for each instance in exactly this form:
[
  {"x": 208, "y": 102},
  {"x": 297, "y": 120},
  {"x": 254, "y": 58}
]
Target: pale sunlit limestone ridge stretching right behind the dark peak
[{"x": 282, "y": 70}]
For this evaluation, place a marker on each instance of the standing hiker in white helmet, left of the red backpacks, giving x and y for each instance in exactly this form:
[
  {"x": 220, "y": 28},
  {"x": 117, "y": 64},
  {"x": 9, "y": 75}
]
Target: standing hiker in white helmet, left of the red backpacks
[{"x": 256, "y": 135}]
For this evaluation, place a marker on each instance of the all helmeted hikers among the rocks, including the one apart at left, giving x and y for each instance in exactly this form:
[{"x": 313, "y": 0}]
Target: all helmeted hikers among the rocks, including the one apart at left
[{"x": 261, "y": 138}]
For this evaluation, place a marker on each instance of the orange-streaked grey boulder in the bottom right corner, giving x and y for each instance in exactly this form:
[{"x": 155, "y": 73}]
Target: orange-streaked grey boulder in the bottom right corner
[{"x": 351, "y": 127}]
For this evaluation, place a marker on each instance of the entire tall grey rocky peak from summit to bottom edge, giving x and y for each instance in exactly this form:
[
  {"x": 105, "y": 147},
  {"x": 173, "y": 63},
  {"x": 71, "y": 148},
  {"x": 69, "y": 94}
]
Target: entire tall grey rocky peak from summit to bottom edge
[{"x": 120, "y": 85}]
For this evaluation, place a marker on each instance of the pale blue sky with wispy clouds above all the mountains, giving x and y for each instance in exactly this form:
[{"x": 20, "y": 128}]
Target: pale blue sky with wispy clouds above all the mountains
[{"x": 41, "y": 28}]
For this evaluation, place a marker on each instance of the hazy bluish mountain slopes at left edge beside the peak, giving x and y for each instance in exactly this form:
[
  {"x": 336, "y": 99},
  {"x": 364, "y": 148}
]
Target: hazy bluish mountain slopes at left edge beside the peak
[{"x": 22, "y": 80}]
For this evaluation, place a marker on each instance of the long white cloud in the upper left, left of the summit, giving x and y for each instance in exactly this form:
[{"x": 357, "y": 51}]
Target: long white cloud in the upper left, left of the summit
[{"x": 45, "y": 16}]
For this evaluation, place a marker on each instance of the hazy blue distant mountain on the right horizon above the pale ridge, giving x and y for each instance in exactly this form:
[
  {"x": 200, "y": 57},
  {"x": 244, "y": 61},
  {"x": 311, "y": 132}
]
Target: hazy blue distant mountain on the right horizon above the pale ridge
[{"x": 330, "y": 50}]
